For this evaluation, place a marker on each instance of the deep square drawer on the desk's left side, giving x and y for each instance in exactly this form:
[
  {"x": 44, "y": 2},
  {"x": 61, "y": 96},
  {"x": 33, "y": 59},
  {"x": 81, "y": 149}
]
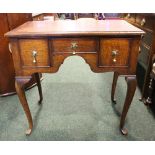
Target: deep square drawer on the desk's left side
[{"x": 34, "y": 52}]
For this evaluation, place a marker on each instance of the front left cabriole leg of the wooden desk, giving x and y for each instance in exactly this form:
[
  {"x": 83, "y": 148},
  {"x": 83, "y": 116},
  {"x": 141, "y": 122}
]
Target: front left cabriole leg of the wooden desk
[{"x": 19, "y": 84}]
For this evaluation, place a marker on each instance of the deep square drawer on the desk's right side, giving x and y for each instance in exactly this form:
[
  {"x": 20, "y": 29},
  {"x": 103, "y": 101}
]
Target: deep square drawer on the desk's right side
[{"x": 114, "y": 52}]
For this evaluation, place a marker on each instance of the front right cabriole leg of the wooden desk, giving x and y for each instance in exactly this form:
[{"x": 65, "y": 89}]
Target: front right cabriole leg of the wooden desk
[{"x": 131, "y": 87}]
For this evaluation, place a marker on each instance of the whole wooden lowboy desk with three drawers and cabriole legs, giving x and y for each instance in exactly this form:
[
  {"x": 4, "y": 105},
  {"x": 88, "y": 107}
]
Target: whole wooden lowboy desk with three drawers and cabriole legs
[{"x": 106, "y": 45}]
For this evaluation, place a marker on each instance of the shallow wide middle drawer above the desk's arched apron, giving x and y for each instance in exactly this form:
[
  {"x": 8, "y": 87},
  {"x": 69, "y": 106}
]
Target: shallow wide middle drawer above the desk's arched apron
[{"x": 75, "y": 45}]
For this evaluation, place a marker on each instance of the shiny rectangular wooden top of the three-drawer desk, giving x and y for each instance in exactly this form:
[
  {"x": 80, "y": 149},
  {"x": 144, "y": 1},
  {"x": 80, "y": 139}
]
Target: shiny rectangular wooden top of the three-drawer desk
[{"x": 75, "y": 27}]
